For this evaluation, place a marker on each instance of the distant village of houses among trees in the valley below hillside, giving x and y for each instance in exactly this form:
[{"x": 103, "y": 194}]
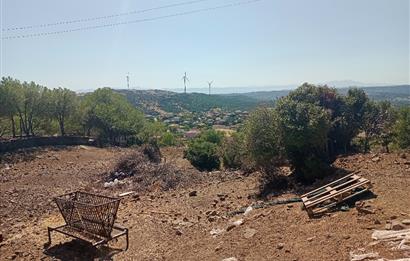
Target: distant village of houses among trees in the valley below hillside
[{"x": 189, "y": 124}]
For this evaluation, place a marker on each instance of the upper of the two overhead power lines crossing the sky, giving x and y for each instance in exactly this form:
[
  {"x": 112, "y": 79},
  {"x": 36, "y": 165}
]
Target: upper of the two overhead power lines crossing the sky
[{"x": 90, "y": 19}]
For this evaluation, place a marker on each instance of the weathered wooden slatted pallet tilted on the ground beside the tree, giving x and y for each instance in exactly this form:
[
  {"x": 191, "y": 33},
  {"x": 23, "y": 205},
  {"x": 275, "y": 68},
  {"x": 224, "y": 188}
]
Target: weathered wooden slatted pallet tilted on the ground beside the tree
[{"x": 320, "y": 200}]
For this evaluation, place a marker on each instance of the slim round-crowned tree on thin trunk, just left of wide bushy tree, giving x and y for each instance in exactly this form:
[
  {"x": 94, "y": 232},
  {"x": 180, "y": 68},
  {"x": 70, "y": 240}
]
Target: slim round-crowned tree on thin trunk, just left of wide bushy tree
[{"x": 63, "y": 105}]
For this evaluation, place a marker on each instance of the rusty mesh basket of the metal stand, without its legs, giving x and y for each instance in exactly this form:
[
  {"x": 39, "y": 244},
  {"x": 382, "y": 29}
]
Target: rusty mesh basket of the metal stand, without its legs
[{"x": 90, "y": 213}]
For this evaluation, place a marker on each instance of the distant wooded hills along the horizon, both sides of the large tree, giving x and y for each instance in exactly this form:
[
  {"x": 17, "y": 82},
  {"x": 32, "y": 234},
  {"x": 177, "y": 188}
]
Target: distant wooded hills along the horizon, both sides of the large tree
[{"x": 161, "y": 101}]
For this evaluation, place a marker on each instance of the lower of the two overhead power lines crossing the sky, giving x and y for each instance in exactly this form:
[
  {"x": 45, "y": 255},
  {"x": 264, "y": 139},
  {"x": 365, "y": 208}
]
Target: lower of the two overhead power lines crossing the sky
[{"x": 86, "y": 28}]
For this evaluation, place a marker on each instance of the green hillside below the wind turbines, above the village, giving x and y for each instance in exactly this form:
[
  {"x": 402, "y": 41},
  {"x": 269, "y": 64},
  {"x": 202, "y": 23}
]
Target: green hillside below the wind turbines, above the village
[{"x": 157, "y": 101}]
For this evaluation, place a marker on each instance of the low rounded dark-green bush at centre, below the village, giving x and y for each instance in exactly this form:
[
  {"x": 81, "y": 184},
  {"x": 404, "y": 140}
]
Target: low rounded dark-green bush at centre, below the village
[{"x": 202, "y": 151}]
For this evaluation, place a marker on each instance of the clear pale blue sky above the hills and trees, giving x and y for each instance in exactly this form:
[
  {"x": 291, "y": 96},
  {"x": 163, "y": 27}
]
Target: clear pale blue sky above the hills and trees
[{"x": 261, "y": 43}]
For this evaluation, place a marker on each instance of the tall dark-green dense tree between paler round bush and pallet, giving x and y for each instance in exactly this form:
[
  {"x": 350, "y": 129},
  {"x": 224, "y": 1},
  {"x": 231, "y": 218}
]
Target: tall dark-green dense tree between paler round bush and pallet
[{"x": 303, "y": 130}]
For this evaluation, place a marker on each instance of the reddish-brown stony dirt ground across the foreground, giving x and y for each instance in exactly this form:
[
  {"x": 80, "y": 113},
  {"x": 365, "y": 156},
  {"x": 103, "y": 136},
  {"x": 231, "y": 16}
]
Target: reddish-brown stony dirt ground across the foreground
[{"x": 173, "y": 225}]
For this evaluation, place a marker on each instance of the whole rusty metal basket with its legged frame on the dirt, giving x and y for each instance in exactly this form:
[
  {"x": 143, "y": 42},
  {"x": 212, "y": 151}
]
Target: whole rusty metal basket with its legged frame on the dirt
[{"x": 89, "y": 217}]
